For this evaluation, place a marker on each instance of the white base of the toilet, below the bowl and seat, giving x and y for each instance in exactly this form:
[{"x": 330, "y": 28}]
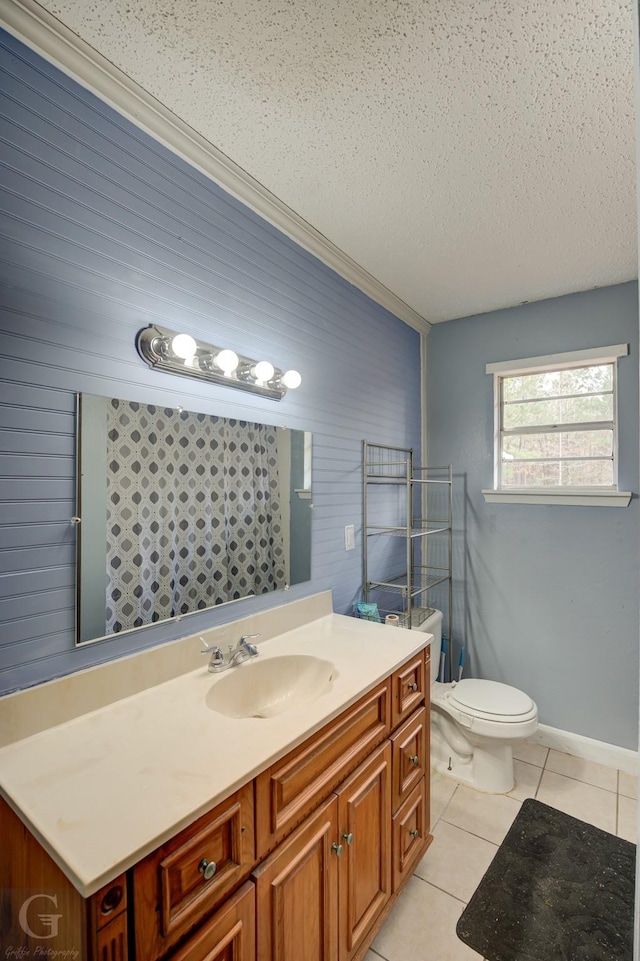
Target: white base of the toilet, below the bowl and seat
[{"x": 488, "y": 767}]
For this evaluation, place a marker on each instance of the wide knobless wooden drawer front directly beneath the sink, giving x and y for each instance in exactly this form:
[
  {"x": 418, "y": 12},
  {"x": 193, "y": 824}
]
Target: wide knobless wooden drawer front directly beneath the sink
[{"x": 292, "y": 787}]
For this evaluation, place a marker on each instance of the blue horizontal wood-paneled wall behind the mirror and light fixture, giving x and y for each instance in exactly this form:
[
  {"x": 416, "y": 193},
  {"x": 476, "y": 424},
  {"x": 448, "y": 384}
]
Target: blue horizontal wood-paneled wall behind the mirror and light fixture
[{"x": 103, "y": 232}]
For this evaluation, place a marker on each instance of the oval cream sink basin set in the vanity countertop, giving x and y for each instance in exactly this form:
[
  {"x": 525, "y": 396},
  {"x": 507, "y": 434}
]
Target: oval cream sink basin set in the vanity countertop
[{"x": 273, "y": 686}]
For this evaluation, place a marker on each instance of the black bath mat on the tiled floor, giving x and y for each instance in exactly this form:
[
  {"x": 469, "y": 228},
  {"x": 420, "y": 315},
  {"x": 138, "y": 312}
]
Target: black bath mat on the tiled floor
[{"x": 557, "y": 890}]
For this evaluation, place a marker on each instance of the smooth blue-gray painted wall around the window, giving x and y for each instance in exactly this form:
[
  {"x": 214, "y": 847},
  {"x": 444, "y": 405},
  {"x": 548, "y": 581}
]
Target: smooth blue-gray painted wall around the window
[{"x": 546, "y": 597}]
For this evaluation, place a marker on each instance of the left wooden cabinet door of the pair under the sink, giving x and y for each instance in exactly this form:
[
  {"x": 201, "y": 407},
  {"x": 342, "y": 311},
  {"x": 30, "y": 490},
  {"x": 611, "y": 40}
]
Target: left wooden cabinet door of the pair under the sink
[{"x": 296, "y": 890}]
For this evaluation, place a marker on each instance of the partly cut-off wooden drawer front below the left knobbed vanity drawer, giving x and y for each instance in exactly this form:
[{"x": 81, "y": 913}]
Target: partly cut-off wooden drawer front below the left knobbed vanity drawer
[{"x": 230, "y": 933}]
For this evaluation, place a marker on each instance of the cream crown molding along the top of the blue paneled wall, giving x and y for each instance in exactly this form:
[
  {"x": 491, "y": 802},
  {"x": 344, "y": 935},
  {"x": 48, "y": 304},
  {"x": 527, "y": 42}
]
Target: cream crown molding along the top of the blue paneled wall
[{"x": 49, "y": 37}]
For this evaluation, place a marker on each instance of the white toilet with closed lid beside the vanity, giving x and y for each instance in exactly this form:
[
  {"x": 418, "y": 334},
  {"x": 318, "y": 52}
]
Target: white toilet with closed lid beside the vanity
[{"x": 474, "y": 723}]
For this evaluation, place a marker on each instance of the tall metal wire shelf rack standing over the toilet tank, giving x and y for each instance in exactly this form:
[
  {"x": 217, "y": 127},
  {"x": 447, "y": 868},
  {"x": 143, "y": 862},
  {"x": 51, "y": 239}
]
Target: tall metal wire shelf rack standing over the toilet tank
[{"x": 406, "y": 516}]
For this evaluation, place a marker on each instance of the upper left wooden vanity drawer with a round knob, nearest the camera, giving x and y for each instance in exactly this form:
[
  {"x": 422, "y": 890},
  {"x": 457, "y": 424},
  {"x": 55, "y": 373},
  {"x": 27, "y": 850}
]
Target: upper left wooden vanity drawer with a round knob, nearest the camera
[{"x": 184, "y": 879}]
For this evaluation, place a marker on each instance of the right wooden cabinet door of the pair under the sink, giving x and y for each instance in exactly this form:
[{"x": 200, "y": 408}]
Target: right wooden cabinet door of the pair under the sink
[{"x": 364, "y": 812}]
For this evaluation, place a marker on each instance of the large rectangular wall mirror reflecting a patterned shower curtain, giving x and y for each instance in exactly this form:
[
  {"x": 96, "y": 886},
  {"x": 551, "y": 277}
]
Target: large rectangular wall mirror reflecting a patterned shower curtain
[{"x": 179, "y": 512}]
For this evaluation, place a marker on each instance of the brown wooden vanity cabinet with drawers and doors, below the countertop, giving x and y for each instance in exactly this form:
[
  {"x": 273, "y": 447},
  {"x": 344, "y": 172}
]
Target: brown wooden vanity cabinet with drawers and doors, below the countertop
[{"x": 304, "y": 861}]
